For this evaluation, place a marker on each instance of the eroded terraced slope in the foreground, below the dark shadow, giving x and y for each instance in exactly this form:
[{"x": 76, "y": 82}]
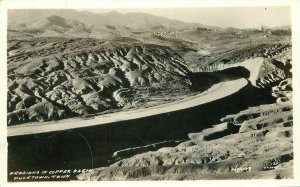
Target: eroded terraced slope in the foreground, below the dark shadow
[{"x": 254, "y": 143}]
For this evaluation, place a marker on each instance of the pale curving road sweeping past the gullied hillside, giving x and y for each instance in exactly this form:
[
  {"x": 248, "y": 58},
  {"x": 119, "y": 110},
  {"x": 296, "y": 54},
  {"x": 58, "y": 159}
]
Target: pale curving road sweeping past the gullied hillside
[{"x": 216, "y": 92}]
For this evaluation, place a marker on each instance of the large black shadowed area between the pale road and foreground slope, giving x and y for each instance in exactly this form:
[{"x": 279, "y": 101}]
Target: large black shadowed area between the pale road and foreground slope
[{"x": 92, "y": 147}]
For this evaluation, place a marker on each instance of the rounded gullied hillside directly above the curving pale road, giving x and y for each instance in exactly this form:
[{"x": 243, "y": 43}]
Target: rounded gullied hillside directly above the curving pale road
[{"x": 52, "y": 80}]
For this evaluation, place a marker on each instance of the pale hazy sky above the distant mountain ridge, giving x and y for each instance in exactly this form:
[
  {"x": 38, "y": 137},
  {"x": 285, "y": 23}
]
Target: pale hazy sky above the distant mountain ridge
[{"x": 241, "y": 17}]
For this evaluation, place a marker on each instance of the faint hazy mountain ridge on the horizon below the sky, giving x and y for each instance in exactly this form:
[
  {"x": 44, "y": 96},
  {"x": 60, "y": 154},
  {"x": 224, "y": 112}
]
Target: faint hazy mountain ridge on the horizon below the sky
[{"x": 132, "y": 20}]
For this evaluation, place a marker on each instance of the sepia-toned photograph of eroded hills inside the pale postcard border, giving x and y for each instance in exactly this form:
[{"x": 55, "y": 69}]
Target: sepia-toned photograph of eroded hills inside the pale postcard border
[{"x": 149, "y": 94}]
